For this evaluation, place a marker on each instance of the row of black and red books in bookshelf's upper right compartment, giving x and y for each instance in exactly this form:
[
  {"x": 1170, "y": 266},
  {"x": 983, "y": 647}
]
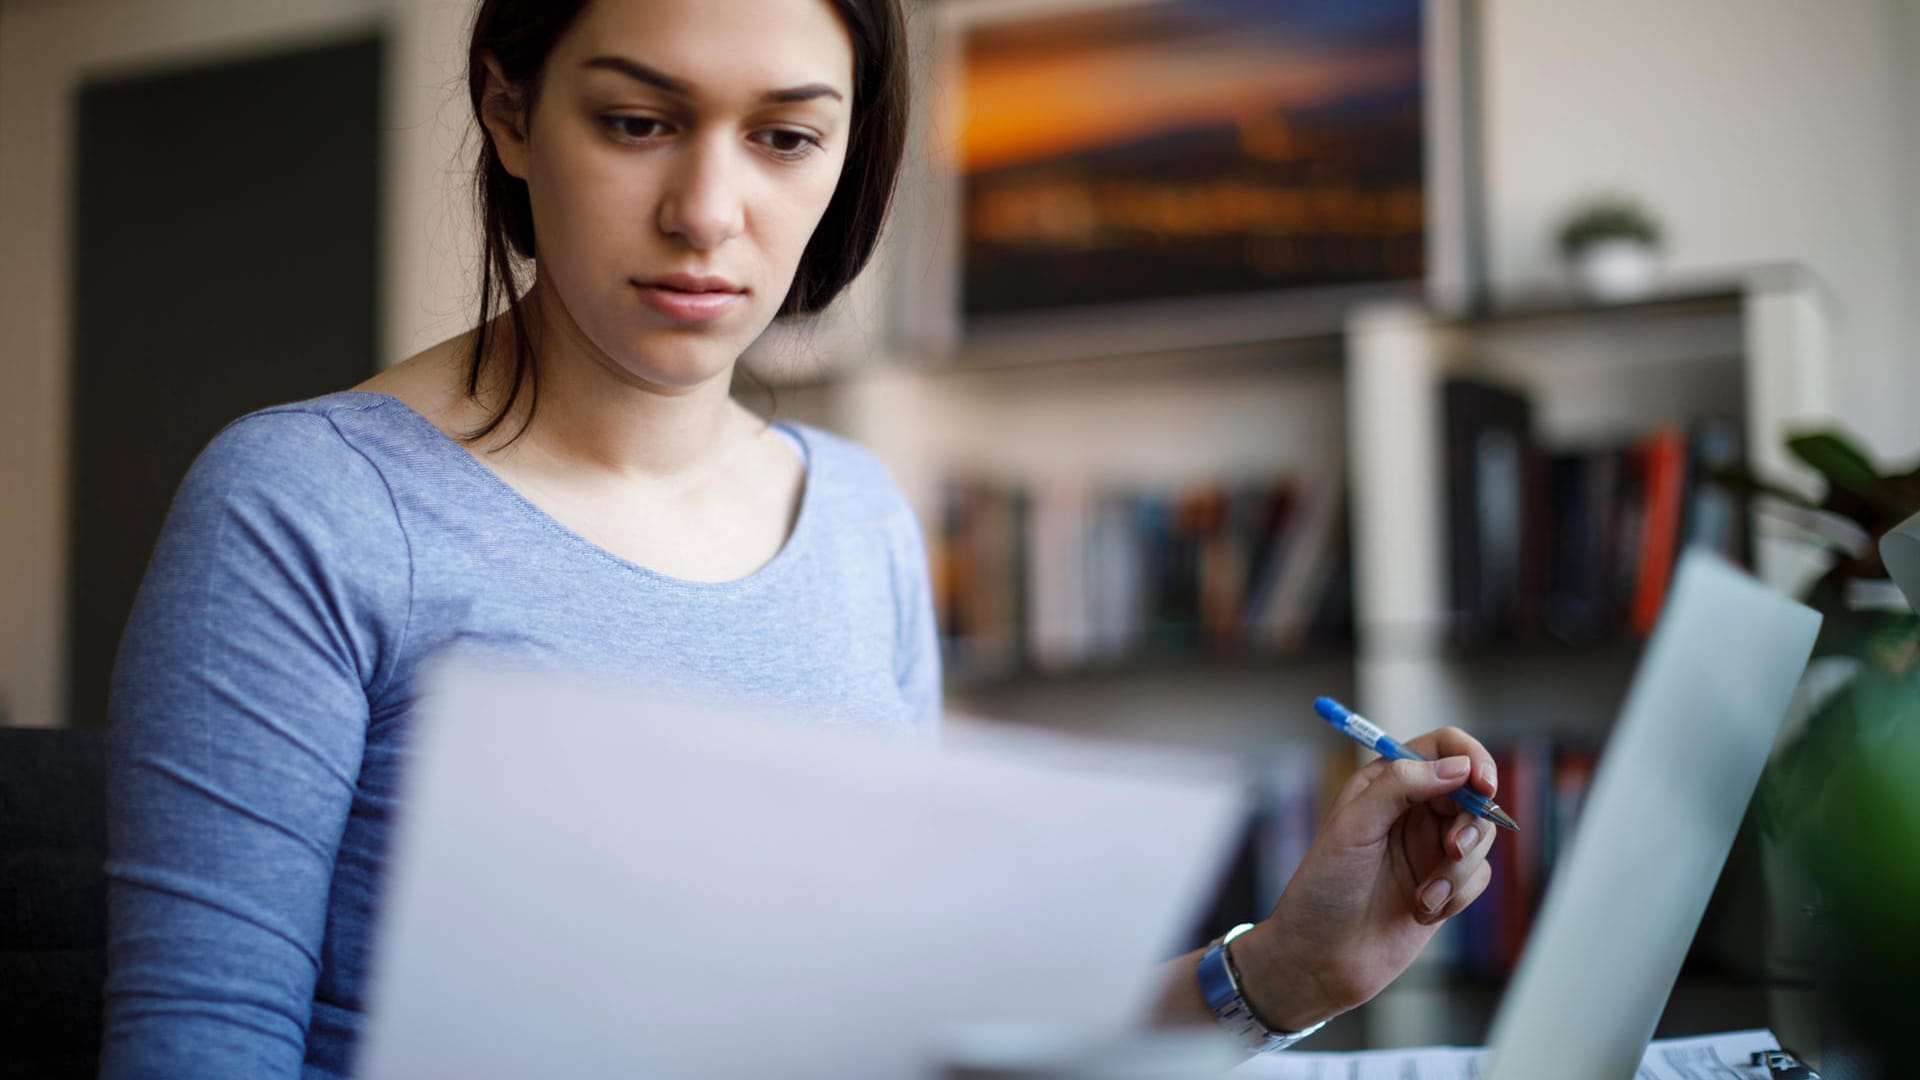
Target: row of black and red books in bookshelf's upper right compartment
[{"x": 1577, "y": 545}]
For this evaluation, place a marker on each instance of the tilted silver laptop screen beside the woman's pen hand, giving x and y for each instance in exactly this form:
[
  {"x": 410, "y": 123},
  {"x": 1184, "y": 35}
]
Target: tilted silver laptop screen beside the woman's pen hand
[{"x": 1673, "y": 785}]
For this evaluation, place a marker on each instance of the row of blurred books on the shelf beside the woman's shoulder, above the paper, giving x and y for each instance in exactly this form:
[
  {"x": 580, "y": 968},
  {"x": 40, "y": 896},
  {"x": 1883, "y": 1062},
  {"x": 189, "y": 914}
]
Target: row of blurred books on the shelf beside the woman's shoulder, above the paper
[{"x": 1065, "y": 574}]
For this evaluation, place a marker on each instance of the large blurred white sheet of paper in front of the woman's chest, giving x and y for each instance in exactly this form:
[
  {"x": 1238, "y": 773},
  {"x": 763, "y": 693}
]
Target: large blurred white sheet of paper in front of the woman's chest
[{"x": 596, "y": 883}]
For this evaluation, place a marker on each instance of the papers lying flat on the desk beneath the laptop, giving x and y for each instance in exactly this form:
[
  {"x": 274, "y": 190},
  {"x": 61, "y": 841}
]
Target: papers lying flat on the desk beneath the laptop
[{"x": 1704, "y": 1058}]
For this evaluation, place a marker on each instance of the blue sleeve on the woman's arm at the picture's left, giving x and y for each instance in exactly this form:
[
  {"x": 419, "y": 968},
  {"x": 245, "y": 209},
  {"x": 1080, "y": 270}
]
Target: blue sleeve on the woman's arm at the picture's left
[{"x": 268, "y": 620}]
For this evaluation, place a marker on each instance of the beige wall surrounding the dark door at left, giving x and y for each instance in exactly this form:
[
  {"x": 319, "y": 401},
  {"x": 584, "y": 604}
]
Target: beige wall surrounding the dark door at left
[{"x": 47, "y": 51}]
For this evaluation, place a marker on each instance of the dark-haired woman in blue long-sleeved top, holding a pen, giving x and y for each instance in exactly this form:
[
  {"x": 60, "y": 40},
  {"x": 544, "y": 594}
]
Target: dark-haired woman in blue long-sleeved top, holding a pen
[{"x": 573, "y": 483}]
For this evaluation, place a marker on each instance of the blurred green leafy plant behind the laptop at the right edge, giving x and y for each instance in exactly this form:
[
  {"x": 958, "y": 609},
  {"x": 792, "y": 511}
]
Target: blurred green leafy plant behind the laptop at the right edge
[{"x": 1861, "y": 712}]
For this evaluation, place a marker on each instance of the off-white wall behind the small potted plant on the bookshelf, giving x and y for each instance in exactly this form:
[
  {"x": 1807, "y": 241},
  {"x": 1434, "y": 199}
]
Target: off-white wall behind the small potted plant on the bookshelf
[{"x": 1760, "y": 130}]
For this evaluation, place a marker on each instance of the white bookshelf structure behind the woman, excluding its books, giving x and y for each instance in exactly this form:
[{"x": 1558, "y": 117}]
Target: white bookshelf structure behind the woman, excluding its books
[{"x": 1362, "y": 406}]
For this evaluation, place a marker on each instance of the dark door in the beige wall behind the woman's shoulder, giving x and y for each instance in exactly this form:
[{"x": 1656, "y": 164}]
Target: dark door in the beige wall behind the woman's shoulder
[{"x": 226, "y": 258}]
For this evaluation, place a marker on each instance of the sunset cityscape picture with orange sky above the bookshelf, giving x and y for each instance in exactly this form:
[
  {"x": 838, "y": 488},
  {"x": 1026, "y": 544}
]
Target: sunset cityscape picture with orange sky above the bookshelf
[{"x": 1134, "y": 151}]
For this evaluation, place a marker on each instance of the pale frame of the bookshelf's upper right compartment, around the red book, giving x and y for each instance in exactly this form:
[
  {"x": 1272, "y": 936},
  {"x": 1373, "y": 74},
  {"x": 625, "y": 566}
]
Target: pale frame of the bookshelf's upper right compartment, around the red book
[{"x": 1752, "y": 349}]
